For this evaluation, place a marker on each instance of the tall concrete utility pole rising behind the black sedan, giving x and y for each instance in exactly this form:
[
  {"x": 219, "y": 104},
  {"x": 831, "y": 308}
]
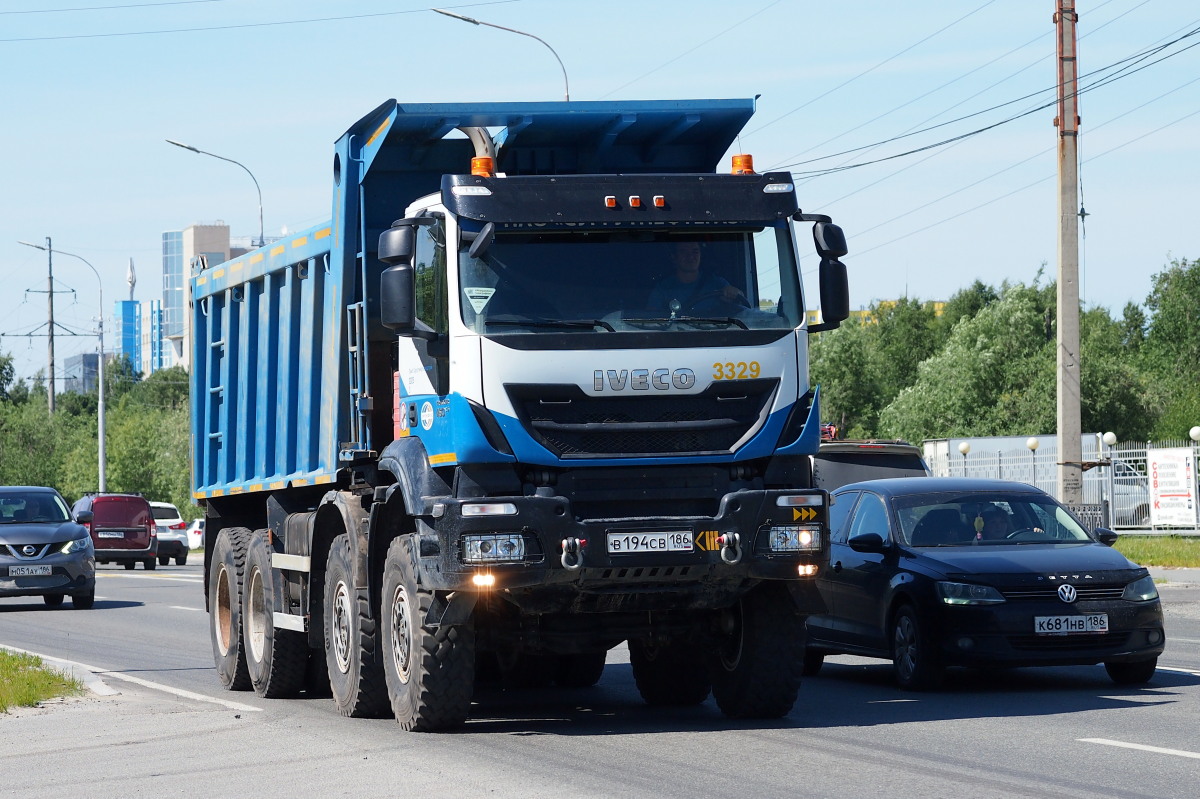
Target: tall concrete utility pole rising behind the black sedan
[{"x": 1071, "y": 454}]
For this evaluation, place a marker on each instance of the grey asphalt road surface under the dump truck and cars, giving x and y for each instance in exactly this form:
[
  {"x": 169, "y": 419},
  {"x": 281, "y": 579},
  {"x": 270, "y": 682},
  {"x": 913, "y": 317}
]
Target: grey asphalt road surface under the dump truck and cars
[{"x": 167, "y": 729}]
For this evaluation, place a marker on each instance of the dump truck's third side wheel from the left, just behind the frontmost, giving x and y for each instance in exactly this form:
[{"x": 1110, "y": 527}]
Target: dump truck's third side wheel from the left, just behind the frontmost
[{"x": 352, "y": 646}]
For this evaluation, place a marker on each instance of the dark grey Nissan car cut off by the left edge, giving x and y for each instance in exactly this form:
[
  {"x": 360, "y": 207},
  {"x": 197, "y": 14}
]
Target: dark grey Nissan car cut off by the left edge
[{"x": 44, "y": 552}]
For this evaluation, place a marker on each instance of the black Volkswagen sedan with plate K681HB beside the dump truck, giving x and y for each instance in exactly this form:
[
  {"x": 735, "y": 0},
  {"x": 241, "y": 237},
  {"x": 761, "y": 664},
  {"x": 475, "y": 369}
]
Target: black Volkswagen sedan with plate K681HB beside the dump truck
[{"x": 945, "y": 572}]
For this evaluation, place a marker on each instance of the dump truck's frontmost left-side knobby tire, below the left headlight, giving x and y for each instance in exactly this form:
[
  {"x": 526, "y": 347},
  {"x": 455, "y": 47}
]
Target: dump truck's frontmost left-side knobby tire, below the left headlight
[{"x": 430, "y": 671}]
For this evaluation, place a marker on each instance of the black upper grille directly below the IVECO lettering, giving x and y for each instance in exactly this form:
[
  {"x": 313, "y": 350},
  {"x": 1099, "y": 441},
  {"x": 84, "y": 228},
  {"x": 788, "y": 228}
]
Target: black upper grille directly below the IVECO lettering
[{"x": 574, "y": 425}]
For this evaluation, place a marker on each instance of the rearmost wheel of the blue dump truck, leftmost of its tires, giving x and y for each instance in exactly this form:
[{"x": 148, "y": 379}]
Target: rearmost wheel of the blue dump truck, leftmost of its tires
[{"x": 225, "y": 608}]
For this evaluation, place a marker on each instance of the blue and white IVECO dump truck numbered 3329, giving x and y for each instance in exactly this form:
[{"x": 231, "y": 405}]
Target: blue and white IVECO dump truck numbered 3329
[{"x": 539, "y": 388}]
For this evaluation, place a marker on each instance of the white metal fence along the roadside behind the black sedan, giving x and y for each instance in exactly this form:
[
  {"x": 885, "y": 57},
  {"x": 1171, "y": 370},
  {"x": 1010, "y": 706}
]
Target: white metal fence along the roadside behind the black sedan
[{"x": 1117, "y": 488}]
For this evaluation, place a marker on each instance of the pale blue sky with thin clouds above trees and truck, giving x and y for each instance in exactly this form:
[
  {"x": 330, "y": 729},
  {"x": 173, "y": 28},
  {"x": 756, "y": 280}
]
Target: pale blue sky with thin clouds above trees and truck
[{"x": 91, "y": 94}]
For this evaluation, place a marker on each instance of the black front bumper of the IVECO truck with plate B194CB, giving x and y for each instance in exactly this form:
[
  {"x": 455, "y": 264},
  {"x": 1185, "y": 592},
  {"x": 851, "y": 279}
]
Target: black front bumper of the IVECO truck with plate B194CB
[{"x": 587, "y": 564}]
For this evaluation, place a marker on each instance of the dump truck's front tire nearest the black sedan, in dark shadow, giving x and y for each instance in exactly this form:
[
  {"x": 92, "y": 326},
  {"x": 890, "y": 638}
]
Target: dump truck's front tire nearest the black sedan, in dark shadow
[{"x": 757, "y": 670}]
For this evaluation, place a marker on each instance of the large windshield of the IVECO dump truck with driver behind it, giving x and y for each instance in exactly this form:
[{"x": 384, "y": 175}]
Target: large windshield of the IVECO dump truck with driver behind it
[{"x": 585, "y": 281}]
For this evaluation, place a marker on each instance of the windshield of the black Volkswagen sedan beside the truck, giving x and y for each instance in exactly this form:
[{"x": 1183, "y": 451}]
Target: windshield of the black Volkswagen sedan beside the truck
[{"x": 993, "y": 519}]
